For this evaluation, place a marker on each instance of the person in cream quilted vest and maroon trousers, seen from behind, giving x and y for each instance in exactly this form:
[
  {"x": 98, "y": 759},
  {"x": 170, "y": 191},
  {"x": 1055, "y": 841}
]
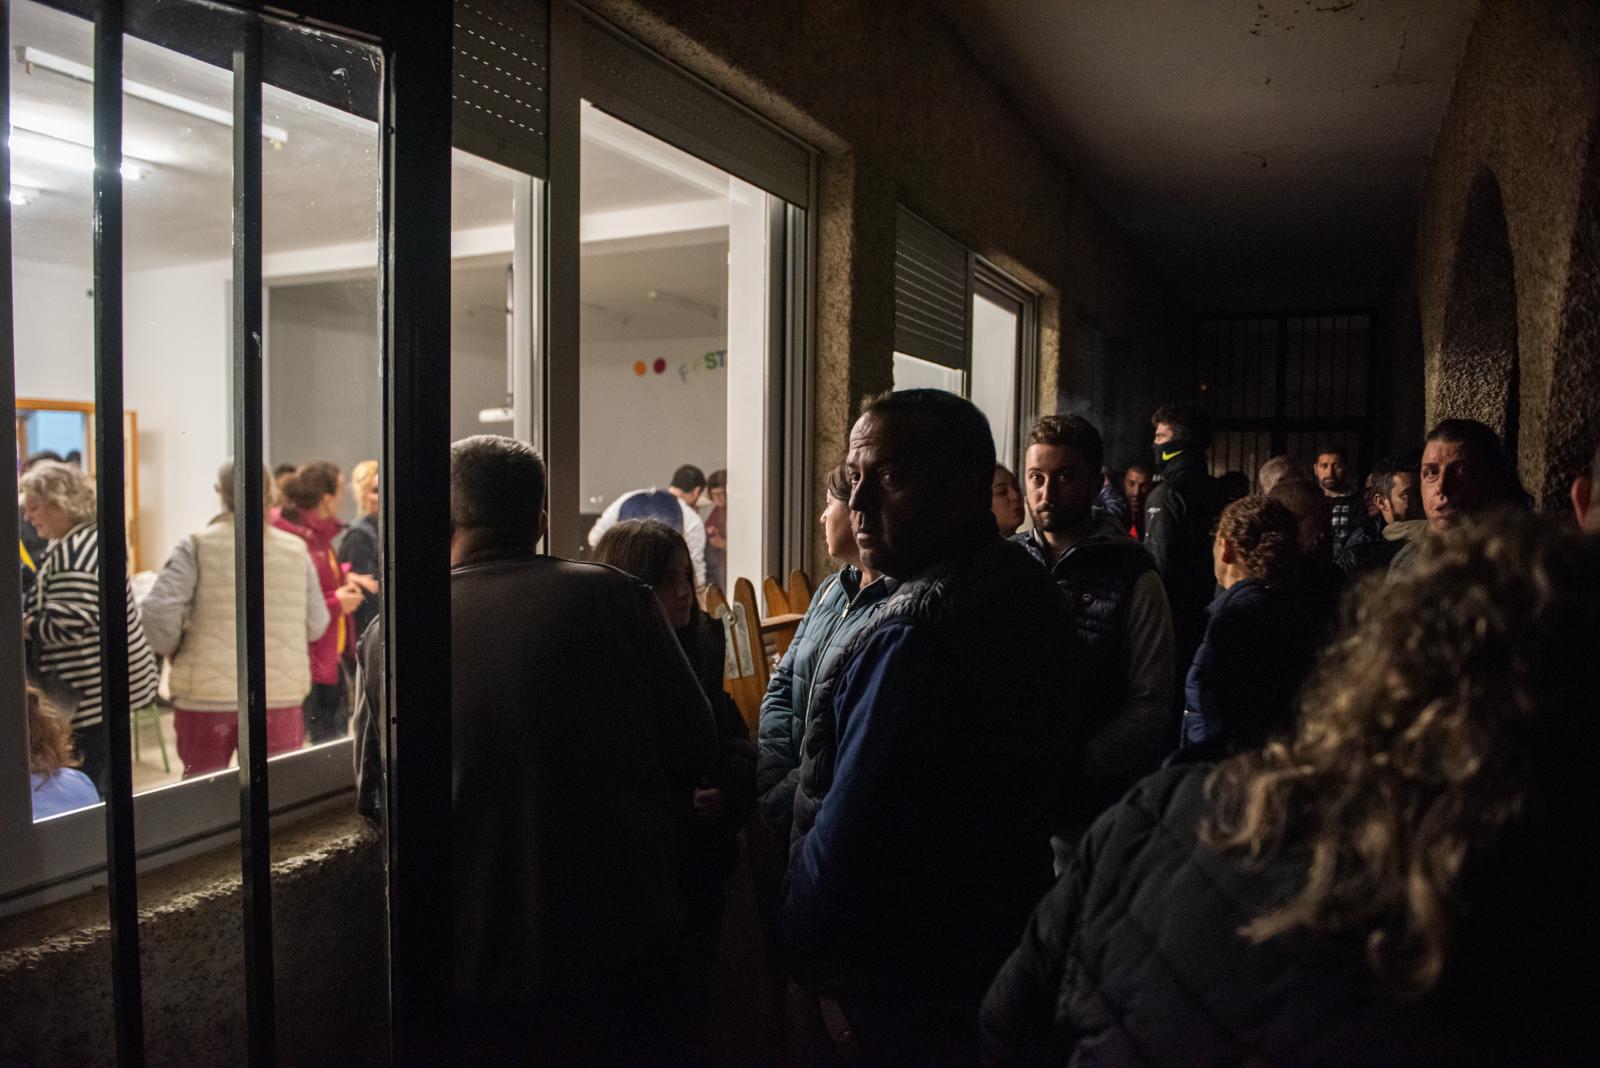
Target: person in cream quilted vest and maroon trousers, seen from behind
[{"x": 190, "y": 616}]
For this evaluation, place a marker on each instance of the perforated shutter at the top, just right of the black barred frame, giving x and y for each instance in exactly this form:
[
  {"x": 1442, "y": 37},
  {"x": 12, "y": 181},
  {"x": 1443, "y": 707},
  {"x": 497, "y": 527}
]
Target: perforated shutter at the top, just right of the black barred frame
[{"x": 502, "y": 81}]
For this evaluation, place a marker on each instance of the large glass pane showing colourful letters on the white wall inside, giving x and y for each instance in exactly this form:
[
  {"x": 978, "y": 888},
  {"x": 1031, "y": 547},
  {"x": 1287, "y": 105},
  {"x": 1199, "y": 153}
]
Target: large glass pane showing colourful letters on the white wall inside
[{"x": 674, "y": 292}]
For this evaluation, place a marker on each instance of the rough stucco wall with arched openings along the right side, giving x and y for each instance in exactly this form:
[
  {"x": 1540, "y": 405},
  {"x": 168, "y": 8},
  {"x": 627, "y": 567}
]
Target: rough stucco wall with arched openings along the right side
[{"x": 1526, "y": 111}]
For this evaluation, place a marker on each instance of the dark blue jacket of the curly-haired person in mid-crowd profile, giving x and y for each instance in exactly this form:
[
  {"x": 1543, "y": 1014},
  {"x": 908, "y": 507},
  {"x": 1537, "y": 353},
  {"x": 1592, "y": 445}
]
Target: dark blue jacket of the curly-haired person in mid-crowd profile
[{"x": 1249, "y": 669}]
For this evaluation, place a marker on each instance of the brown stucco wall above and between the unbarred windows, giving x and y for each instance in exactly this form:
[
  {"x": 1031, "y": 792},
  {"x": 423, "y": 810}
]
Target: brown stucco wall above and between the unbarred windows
[{"x": 903, "y": 114}]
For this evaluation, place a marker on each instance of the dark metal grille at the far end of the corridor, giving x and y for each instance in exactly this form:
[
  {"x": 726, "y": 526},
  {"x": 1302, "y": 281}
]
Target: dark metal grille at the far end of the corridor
[{"x": 1290, "y": 385}]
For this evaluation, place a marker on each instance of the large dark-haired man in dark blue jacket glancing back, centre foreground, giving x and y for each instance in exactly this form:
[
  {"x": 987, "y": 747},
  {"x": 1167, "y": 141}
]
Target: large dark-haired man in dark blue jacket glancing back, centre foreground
[{"x": 934, "y": 837}]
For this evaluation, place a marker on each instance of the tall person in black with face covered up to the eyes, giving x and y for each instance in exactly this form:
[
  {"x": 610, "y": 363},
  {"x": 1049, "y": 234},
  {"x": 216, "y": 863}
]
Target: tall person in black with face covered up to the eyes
[{"x": 1178, "y": 522}]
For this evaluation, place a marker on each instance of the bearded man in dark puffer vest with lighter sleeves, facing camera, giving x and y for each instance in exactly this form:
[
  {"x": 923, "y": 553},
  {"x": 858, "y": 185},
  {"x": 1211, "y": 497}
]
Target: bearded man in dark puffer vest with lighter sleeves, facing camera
[{"x": 1121, "y": 660}]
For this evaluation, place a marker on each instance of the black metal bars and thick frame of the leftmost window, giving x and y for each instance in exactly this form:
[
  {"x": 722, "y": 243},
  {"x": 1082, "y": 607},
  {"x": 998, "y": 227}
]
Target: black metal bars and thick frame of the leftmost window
[{"x": 415, "y": 124}]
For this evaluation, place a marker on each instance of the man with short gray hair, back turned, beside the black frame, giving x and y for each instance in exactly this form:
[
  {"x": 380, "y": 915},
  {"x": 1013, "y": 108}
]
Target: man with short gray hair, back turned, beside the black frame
[{"x": 578, "y": 735}]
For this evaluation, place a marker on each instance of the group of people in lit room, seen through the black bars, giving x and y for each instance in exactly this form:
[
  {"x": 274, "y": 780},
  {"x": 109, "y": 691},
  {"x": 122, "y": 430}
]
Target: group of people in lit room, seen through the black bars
[{"x": 321, "y": 584}]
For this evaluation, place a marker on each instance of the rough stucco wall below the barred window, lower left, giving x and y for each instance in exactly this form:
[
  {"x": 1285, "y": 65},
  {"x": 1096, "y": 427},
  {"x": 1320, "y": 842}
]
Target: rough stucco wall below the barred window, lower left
[{"x": 329, "y": 947}]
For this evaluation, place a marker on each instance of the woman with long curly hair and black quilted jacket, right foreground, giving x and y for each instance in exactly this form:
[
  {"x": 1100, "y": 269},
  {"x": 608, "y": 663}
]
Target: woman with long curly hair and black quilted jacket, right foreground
[{"x": 1409, "y": 880}]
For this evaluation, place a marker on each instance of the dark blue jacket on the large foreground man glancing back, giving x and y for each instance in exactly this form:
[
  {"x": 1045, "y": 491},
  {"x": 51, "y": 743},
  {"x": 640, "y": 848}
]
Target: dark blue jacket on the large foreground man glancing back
[{"x": 932, "y": 843}]
